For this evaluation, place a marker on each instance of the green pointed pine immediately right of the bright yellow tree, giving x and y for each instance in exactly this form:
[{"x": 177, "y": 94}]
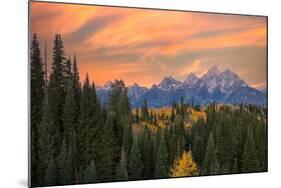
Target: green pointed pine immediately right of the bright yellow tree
[{"x": 210, "y": 160}]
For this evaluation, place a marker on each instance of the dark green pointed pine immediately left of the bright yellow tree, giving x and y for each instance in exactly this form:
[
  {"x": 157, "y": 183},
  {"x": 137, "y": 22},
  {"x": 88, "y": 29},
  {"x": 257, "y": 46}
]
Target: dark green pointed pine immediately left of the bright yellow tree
[{"x": 161, "y": 166}]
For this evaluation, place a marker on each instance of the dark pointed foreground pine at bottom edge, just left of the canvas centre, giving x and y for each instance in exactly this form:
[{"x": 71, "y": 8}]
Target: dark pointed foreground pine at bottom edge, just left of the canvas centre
[{"x": 135, "y": 165}]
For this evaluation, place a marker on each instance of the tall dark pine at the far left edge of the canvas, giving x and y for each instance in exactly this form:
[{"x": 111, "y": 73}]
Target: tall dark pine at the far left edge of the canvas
[{"x": 37, "y": 83}]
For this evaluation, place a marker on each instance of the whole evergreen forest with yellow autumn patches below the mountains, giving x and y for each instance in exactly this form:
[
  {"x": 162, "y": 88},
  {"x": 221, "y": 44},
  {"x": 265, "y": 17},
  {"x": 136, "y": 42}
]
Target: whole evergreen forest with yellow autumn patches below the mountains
[{"x": 77, "y": 139}]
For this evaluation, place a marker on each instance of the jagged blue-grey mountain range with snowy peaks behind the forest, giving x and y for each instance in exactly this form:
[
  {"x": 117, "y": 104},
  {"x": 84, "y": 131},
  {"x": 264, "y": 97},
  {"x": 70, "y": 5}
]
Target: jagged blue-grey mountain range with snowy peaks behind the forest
[{"x": 221, "y": 87}]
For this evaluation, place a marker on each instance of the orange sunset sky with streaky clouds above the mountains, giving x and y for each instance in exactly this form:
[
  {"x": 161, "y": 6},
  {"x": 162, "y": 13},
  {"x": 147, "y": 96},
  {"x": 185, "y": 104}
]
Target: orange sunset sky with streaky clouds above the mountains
[{"x": 144, "y": 45}]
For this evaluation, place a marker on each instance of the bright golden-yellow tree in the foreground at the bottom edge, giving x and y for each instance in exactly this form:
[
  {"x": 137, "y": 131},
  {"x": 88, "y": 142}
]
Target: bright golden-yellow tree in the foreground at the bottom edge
[{"x": 185, "y": 166}]
